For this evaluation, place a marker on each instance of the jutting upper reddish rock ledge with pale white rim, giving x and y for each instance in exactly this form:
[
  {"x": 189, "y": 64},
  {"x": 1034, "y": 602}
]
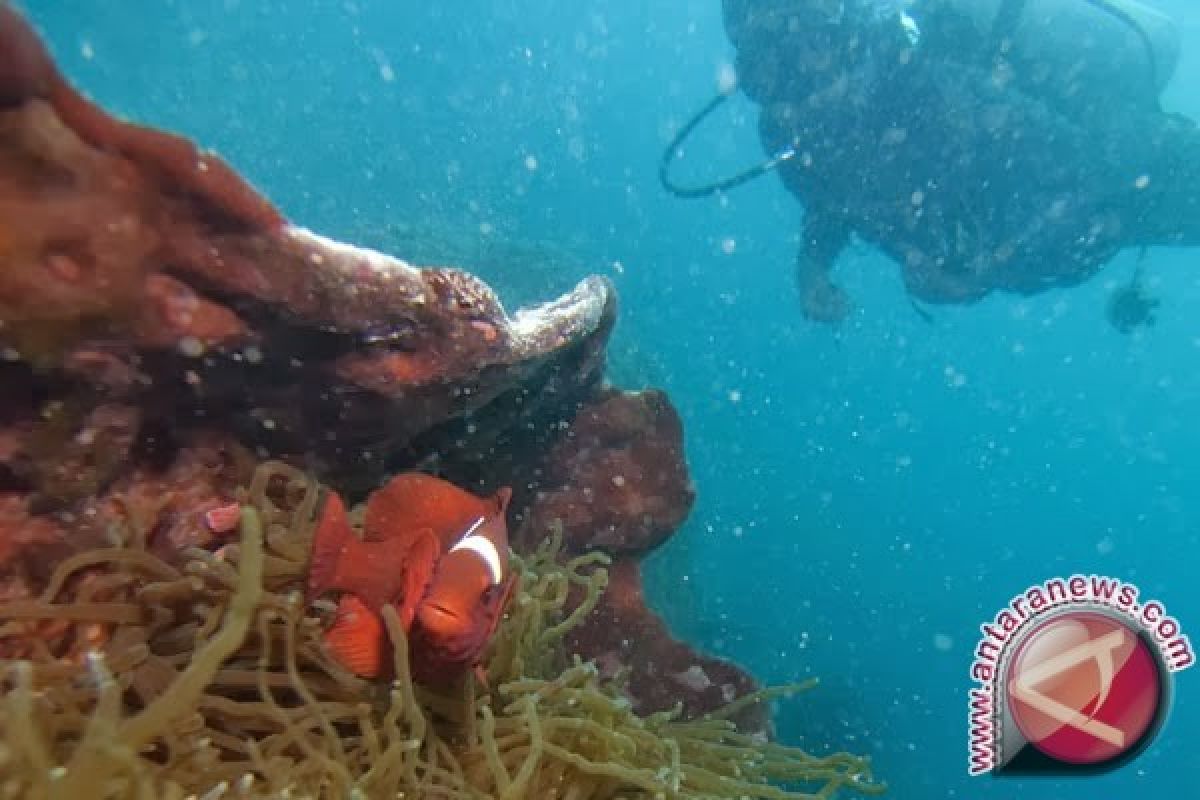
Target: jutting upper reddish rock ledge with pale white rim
[{"x": 135, "y": 263}]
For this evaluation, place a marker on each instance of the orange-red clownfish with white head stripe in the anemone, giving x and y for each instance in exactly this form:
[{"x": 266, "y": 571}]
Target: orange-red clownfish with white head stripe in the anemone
[{"x": 437, "y": 554}]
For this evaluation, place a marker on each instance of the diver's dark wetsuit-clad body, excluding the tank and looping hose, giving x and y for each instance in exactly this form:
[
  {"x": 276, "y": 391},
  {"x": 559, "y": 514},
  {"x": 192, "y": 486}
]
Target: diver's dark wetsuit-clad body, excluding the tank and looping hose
[{"x": 969, "y": 183}]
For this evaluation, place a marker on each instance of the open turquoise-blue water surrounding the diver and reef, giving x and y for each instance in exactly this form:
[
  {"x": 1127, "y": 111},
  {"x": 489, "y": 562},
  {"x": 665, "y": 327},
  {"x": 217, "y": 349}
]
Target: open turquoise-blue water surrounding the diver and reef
[{"x": 868, "y": 497}]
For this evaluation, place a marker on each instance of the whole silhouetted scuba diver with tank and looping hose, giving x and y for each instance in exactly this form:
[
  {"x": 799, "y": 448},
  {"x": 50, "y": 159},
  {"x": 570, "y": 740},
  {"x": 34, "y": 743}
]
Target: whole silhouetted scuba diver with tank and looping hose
[{"x": 983, "y": 146}]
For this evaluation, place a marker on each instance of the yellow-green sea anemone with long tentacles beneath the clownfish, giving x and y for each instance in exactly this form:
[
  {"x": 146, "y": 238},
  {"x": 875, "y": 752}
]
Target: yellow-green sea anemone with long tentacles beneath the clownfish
[{"x": 209, "y": 681}]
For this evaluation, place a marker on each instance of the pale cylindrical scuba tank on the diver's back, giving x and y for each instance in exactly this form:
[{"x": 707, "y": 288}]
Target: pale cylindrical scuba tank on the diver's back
[{"x": 1076, "y": 55}]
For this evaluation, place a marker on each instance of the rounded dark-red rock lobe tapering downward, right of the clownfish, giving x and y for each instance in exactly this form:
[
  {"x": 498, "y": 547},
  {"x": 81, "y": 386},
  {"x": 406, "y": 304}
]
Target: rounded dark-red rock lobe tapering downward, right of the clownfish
[{"x": 617, "y": 482}]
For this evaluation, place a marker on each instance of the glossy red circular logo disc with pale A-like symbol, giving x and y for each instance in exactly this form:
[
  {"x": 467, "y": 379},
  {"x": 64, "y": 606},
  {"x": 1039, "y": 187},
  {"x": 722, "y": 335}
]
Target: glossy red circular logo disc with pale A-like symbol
[{"x": 1085, "y": 689}]
